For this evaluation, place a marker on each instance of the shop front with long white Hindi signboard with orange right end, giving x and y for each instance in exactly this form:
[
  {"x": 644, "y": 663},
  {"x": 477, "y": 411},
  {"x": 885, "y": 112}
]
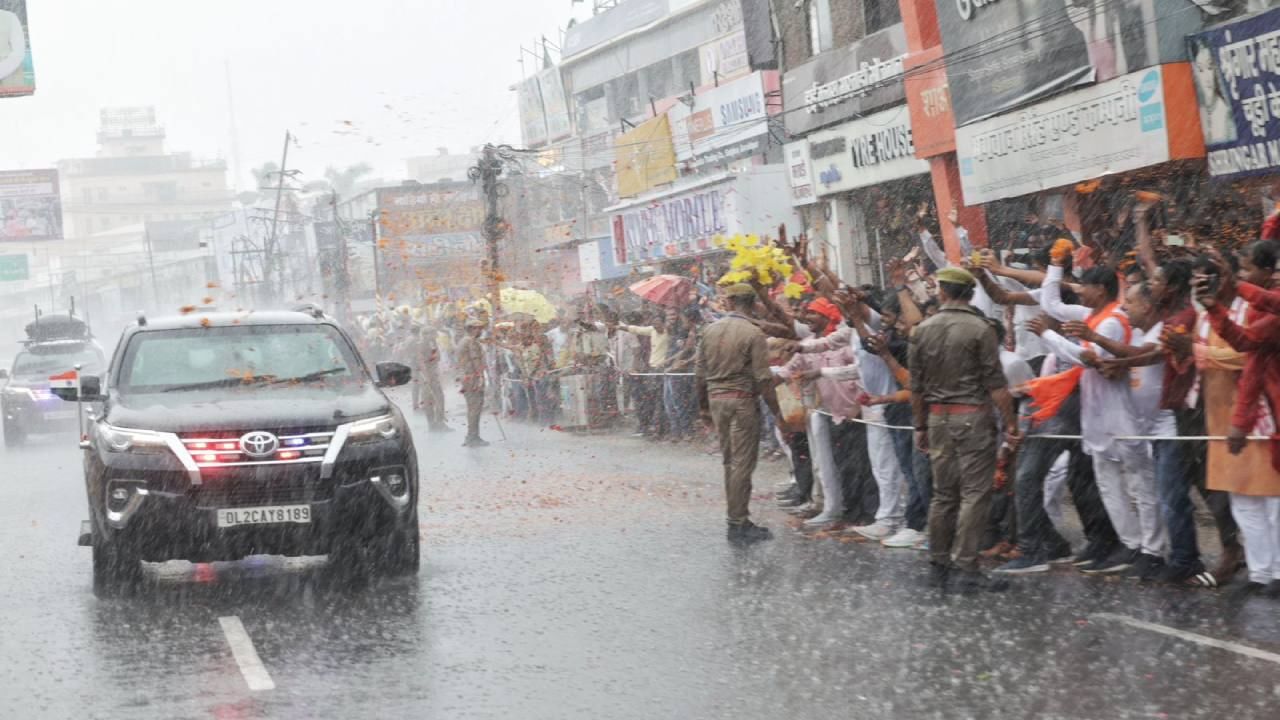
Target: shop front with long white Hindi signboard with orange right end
[{"x": 1076, "y": 161}]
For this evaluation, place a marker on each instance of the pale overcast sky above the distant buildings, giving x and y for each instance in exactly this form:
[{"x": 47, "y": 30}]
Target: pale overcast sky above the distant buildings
[{"x": 409, "y": 75}]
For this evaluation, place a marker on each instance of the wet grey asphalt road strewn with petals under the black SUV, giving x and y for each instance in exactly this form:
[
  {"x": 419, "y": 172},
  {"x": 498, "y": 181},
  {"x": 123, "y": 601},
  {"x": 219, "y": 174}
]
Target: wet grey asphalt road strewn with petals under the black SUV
[{"x": 569, "y": 577}]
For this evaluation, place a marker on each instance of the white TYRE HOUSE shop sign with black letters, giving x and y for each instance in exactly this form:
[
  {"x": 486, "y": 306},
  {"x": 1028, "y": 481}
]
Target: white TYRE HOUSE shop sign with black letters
[{"x": 863, "y": 153}]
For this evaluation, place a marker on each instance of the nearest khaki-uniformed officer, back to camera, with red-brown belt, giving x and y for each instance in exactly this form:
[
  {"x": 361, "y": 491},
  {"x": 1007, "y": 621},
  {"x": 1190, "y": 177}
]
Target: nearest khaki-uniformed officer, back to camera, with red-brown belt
[{"x": 957, "y": 384}]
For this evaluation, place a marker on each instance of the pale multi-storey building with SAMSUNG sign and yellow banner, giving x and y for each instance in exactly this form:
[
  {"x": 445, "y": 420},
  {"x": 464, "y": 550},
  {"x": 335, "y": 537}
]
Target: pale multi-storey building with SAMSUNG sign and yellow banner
[{"x": 664, "y": 115}]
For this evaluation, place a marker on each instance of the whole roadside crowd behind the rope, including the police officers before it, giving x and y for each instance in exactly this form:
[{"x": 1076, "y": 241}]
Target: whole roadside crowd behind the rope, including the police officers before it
[{"x": 952, "y": 411}]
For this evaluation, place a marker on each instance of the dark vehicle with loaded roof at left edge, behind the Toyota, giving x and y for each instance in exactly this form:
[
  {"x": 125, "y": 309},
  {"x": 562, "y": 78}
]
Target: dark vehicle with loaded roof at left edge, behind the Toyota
[{"x": 56, "y": 347}]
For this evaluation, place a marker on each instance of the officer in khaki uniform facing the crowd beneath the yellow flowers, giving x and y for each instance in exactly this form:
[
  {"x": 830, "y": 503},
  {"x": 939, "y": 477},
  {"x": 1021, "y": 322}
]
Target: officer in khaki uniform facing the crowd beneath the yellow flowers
[{"x": 732, "y": 377}]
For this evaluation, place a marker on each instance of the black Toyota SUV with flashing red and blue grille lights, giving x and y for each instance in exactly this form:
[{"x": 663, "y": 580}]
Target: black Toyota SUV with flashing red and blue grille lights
[{"x": 231, "y": 435}]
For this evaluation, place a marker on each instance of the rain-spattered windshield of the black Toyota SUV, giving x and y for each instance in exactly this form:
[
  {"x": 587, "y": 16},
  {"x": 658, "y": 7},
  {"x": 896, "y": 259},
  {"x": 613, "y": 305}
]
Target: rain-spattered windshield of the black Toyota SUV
[{"x": 234, "y": 357}]
